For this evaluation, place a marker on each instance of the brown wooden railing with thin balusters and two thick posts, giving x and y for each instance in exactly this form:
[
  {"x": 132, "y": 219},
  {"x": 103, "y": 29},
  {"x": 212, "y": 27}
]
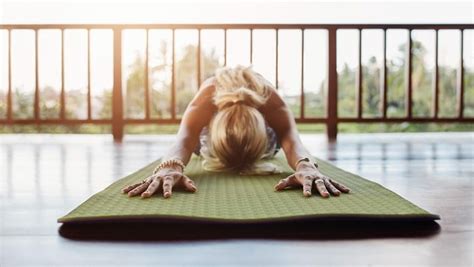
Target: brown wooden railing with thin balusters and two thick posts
[{"x": 331, "y": 119}]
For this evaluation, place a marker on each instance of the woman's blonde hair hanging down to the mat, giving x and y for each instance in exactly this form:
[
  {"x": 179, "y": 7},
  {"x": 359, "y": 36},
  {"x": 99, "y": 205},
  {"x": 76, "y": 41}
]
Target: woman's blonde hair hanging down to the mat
[{"x": 237, "y": 133}]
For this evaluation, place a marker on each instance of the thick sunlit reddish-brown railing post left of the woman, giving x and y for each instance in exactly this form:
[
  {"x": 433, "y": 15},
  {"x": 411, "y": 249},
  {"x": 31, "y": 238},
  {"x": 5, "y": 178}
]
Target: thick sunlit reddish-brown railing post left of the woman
[{"x": 117, "y": 100}]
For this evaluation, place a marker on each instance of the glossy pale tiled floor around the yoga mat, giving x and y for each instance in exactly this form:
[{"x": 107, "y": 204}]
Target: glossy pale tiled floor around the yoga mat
[{"x": 44, "y": 176}]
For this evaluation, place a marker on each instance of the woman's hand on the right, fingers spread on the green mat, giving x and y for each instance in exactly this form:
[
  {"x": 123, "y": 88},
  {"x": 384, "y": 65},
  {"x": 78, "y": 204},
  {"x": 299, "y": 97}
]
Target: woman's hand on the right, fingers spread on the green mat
[{"x": 306, "y": 175}]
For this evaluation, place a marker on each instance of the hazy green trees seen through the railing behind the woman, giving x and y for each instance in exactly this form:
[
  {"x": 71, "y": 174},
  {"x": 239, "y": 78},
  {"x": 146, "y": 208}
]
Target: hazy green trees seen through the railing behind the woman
[{"x": 186, "y": 83}]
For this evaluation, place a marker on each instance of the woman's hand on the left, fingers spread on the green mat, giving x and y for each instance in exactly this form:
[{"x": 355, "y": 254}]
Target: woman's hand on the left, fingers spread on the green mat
[{"x": 164, "y": 179}]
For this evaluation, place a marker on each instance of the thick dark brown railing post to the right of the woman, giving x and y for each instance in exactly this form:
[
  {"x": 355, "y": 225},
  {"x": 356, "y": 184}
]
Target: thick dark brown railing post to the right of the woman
[{"x": 331, "y": 122}]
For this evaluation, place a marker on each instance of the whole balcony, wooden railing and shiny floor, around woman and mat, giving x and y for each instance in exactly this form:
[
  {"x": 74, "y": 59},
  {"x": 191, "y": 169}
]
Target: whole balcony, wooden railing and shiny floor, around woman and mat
[{"x": 126, "y": 75}]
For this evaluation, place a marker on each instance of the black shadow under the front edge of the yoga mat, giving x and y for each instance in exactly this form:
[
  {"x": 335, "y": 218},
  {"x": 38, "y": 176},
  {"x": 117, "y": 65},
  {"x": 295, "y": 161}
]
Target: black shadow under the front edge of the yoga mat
[{"x": 299, "y": 230}]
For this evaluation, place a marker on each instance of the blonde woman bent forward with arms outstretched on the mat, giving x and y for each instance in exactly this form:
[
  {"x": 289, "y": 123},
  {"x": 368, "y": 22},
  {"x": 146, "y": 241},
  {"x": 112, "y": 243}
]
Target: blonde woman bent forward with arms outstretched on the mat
[{"x": 235, "y": 119}]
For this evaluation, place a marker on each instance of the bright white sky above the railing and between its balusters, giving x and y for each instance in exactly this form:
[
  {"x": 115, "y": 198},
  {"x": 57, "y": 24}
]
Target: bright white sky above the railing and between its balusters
[{"x": 223, "y": 11}]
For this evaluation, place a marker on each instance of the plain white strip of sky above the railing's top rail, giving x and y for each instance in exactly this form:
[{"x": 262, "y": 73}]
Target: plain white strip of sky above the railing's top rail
[{"x": 235, "y": 11}]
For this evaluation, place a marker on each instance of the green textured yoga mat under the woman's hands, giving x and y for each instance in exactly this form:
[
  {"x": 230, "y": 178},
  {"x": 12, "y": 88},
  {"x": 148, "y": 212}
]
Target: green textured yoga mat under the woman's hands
[{"x": 223, "y": 197}]
